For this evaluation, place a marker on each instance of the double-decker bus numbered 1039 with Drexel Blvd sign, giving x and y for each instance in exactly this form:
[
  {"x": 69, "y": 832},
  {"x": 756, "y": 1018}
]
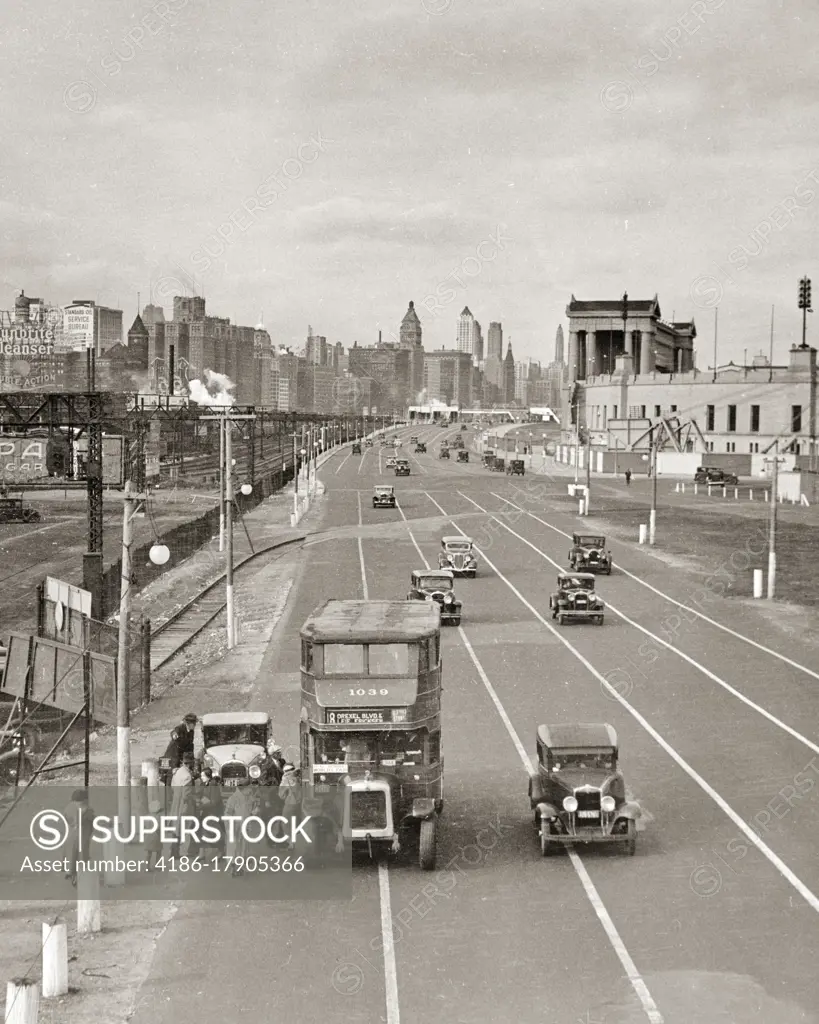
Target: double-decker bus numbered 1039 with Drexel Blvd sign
[{"x": 371, "y": 718}]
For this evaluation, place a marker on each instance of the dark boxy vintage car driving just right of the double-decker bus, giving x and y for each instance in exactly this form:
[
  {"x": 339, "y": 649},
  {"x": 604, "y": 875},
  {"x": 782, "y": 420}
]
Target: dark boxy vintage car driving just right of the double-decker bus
[{"x": 578, "y": 793}]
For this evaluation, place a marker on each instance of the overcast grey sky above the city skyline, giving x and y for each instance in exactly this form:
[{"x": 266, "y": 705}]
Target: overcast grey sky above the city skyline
[{"x": 326, "y": 163}]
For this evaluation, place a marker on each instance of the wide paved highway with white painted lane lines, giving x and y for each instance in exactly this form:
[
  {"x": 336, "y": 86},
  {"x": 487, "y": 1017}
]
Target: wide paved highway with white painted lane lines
[{"x": 715, "y": 920}]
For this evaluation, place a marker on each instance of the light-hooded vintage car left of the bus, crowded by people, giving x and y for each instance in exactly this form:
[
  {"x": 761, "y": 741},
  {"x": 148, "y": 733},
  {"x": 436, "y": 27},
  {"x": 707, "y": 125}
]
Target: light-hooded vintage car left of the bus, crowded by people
[{"x": 238, "y": 746}]
